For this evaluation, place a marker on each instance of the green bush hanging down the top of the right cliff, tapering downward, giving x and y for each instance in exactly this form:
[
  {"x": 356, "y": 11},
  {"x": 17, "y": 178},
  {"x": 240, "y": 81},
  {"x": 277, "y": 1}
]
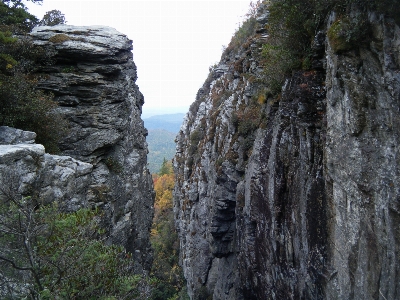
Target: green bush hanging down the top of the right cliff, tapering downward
[{"x": 292, "y": 25}]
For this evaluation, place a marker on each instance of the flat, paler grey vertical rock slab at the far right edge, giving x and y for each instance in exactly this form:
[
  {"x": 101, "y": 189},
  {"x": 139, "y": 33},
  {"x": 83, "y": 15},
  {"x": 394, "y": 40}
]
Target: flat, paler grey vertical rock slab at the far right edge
[{"x": 362, "y": 166}]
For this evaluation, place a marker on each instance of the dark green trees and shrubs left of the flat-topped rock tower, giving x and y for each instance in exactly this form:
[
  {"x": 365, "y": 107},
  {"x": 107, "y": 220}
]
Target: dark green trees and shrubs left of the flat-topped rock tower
[{"x": 21, "y": 104}]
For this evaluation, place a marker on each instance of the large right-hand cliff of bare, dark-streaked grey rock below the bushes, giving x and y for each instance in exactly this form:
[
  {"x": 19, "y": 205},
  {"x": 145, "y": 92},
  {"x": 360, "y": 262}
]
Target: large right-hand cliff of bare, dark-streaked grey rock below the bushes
[{"x": 294, "y": 197}]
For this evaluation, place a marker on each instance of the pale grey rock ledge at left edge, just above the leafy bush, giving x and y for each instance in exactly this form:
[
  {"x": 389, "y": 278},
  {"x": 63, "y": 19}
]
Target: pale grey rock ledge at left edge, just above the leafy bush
[{"x": 26, "y": 170}]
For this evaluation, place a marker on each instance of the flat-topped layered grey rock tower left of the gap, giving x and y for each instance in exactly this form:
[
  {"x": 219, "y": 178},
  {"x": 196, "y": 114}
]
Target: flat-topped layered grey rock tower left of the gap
[{"x": 93, "y": 80}]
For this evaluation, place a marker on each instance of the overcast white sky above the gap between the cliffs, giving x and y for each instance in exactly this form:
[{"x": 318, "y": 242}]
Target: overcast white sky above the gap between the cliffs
[{"x": 174, "y": 42}]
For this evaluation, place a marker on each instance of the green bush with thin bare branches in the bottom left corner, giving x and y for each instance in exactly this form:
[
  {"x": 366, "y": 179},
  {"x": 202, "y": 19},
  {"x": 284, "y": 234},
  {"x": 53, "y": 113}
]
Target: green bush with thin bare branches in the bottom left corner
[{"x": 48, "y": 254}]
